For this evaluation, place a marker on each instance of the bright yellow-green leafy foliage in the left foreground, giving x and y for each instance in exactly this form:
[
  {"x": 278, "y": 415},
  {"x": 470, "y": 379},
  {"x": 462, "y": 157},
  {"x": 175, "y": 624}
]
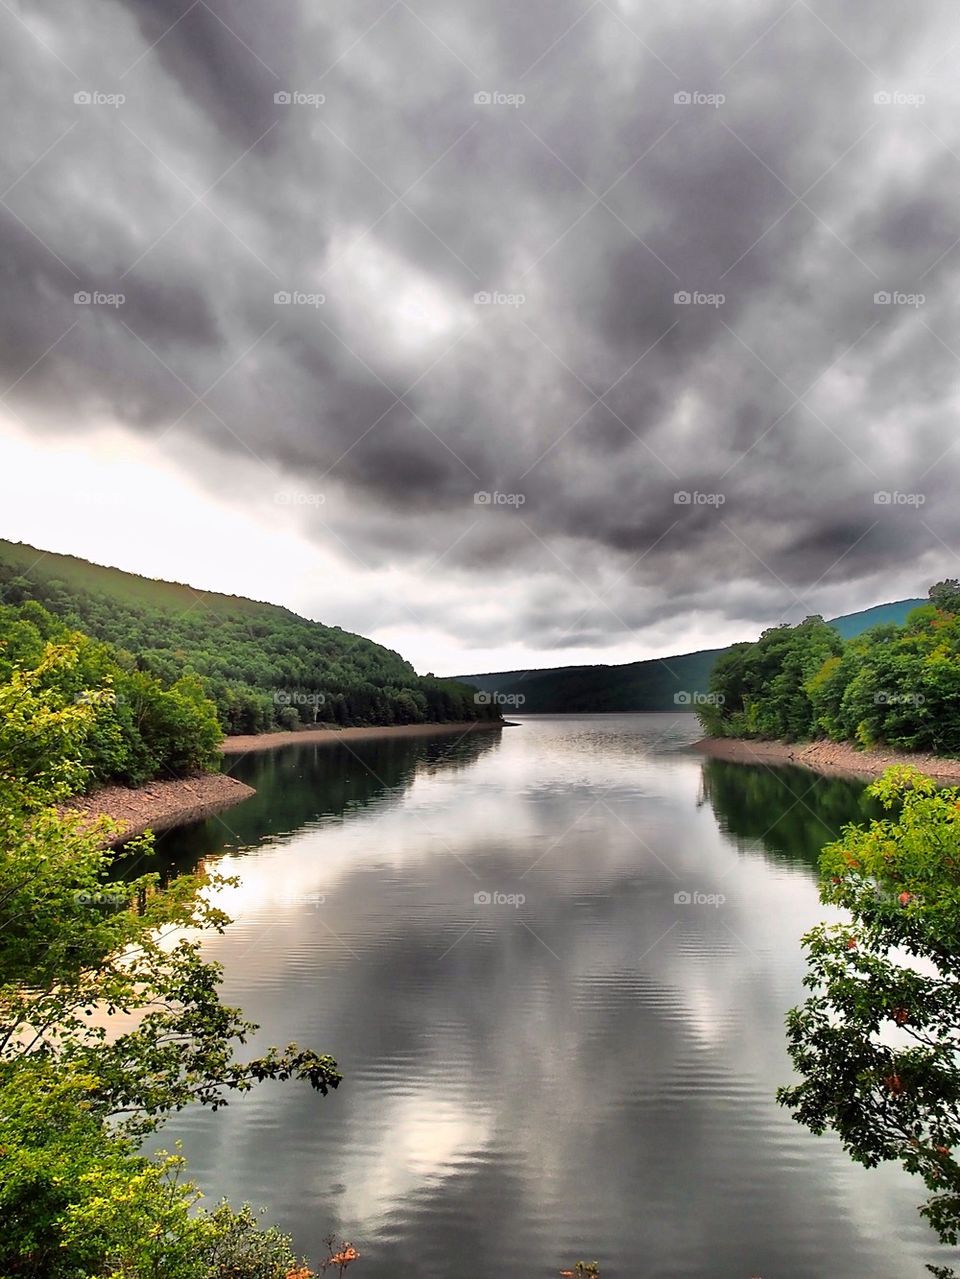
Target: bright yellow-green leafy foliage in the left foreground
[{"x": 111, "y": 1019}]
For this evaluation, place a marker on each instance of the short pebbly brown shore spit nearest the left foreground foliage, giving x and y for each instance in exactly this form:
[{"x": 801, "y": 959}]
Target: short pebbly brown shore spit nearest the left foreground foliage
[{"x": 162, "y": 805}]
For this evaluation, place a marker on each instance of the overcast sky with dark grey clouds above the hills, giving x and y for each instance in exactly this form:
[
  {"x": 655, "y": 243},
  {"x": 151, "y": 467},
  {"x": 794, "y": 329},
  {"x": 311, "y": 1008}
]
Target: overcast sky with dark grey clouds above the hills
[{"x": 356, "y": 268}]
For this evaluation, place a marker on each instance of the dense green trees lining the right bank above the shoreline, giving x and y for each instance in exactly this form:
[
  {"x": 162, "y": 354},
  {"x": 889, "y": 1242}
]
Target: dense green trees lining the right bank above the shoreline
[{"x": 895, "y": 686}]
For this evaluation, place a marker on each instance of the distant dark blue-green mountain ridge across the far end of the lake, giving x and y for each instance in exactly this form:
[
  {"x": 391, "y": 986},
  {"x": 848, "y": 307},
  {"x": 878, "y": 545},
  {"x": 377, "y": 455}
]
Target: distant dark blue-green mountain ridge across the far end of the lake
[{"x": 672, "y": 684}]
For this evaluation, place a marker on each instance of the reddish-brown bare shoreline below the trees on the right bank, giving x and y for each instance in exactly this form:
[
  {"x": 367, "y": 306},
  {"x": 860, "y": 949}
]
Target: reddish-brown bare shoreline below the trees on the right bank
[{"x": 832, "y": 759}]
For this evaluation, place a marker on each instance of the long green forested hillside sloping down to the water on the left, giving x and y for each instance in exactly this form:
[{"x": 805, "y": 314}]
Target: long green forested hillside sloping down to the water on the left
[{"x": 263, "y": 666}]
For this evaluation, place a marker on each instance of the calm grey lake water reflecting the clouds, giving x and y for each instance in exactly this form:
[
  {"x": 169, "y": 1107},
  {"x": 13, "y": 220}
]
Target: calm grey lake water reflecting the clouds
[{"x": 553, "y": 965}]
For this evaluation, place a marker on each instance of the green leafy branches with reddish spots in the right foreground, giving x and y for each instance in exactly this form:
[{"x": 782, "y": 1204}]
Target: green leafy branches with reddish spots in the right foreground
[{"x": 878, "y": 1044}]
